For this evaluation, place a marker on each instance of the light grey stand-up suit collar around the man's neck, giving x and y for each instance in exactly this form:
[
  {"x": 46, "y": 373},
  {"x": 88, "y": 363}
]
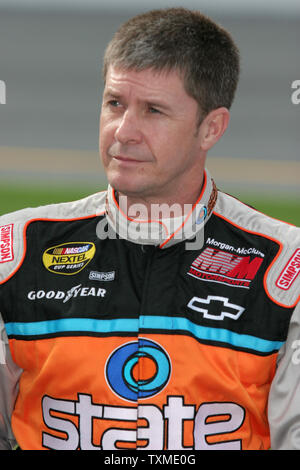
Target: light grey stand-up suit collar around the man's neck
[{"x": 164, "y": 228}]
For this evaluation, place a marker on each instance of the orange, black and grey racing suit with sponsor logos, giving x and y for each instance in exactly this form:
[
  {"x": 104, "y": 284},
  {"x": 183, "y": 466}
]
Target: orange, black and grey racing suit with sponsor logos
[{"x": 113, "y": 340}]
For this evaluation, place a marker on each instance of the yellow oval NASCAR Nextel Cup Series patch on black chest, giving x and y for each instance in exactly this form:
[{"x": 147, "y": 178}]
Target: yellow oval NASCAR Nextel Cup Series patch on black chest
[{"x": 68, "y": 258}]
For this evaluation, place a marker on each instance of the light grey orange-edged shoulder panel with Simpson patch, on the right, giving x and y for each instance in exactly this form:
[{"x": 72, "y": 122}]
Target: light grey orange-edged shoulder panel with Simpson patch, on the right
[{"x": 281, "y": 280}]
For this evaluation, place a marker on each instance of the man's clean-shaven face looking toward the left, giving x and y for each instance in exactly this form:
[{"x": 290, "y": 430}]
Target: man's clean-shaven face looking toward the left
[{"x": 149, "y": 144}]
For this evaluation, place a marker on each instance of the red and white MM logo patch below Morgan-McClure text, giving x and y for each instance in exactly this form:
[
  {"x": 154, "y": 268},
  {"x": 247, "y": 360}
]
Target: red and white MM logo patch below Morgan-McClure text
[{"x": 219, "y": 266}]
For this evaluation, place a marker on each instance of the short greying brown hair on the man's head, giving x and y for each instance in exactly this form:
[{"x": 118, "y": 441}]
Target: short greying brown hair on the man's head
[{"x": 180, "y": 39}]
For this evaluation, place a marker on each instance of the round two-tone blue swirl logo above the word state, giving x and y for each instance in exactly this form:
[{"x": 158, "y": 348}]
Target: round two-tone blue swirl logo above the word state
[{"x": 138, "y": 369}]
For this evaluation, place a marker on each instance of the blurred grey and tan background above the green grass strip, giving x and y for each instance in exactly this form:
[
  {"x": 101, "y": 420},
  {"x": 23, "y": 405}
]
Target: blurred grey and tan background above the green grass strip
[{"x": 50, "y": 59}]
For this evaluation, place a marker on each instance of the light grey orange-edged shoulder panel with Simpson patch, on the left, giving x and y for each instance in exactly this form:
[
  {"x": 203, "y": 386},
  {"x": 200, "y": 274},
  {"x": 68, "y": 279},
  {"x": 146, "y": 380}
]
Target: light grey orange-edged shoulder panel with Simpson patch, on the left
[{"x": 13, "y": 226}]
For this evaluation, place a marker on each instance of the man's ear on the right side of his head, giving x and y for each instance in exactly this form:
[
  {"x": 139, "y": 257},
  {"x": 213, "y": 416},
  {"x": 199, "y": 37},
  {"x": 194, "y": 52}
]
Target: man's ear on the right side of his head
[{"x": 213, "y": 127}]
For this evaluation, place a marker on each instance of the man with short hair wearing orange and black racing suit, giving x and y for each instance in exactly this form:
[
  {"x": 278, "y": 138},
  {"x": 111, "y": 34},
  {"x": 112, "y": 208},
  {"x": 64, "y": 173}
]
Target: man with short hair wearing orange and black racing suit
[{"x": 161, "y": 313}]
